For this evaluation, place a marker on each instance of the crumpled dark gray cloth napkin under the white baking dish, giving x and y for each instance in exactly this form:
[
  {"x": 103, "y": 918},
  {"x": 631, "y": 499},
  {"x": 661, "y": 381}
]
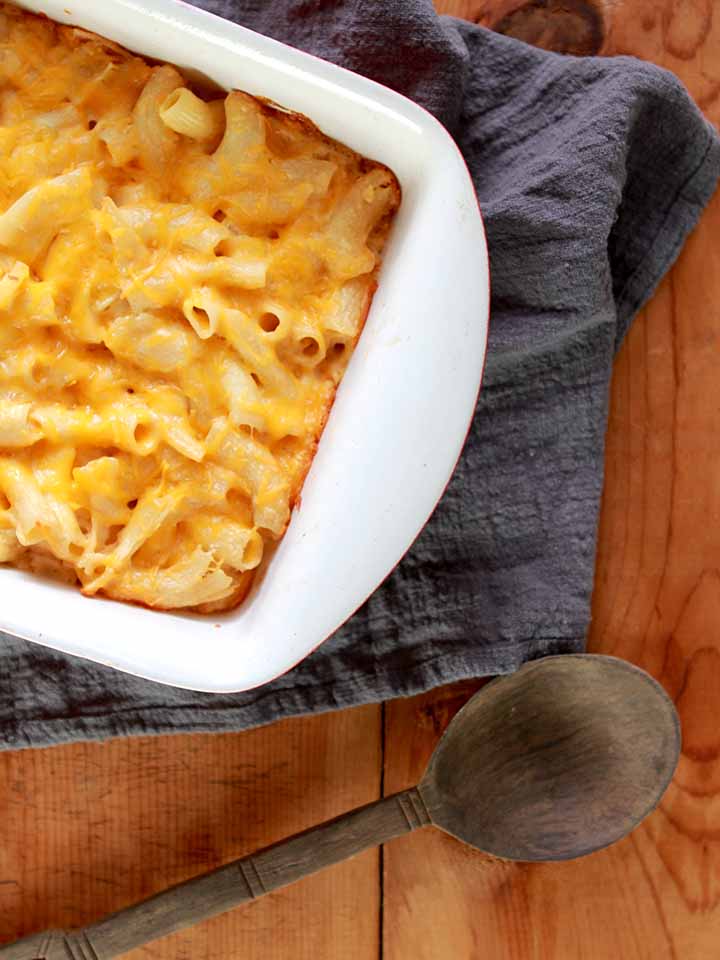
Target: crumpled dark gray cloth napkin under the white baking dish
[{"x": 591, "y": 173}]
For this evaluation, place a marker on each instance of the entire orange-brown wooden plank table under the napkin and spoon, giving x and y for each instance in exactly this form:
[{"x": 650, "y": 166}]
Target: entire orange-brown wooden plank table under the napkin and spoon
[{"x": 90, "y": 828}]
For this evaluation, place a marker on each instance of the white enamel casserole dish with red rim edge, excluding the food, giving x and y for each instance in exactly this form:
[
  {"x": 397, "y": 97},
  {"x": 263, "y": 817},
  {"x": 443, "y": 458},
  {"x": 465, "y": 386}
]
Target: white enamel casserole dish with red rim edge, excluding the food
[{"x": 401, "y": 414}]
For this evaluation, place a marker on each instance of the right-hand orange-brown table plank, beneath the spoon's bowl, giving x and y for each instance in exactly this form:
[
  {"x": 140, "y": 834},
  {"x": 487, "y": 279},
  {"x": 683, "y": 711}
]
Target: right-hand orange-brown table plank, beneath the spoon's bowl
[{"x": 657, "y": 894}]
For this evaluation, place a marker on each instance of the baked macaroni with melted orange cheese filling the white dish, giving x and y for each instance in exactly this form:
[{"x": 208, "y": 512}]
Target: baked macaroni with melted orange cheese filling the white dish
[{"x": 182, "y": 282}]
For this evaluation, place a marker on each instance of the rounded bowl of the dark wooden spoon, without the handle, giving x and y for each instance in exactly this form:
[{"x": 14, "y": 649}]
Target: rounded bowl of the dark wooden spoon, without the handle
[{"x": 564, "y": 757}]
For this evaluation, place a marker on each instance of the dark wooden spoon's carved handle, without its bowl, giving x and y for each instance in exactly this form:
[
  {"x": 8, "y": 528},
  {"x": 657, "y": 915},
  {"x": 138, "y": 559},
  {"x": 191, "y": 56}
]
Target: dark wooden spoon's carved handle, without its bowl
[{"x": 236, "y": 883}]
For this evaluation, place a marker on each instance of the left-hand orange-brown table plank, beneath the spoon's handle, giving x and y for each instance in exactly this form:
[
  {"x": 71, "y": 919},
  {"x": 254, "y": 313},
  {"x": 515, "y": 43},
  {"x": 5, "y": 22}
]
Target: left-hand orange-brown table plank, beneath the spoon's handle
[{"x": 90, "y": 828}]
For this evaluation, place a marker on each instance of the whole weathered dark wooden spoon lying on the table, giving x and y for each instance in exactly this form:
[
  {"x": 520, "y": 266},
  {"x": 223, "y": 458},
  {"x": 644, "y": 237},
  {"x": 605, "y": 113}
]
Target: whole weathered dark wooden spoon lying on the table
[{"x": 564, "y": 757}]
